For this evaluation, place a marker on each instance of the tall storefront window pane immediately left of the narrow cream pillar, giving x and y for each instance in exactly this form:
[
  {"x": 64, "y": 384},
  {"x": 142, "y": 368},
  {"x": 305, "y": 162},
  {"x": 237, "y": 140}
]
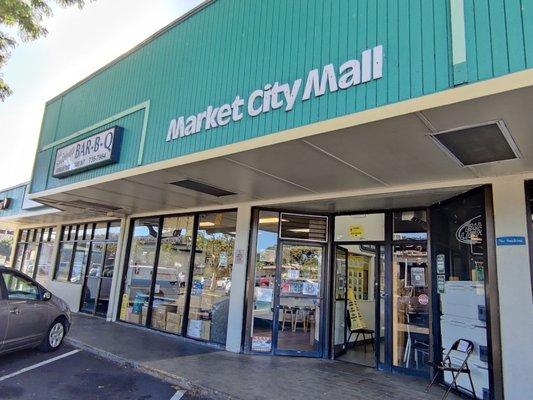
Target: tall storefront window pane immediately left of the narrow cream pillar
[{"x": 209, "y": 300}]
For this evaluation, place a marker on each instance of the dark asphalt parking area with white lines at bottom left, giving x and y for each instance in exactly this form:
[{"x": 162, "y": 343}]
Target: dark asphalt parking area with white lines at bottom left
[{"x": 70, "y": 373}]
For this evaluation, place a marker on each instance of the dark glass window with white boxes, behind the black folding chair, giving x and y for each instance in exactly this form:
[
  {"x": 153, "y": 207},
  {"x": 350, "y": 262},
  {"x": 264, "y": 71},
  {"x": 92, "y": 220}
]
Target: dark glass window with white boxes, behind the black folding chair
[{"x": 459, "y": 268}]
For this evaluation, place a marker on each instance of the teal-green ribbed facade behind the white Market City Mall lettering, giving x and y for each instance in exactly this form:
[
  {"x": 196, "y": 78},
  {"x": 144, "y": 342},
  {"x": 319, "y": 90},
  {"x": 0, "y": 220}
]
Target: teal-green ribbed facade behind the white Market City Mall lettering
[{"x": 232, "y": 47}]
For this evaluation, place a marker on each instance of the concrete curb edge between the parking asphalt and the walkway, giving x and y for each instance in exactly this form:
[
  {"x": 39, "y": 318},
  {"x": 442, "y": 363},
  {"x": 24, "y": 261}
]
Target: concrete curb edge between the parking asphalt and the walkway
[{"x": 181, "y": 382}]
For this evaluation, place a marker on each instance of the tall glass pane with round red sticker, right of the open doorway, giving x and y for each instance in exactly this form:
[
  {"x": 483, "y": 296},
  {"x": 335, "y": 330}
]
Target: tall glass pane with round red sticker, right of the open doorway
[{"x": 410, "y": 307}]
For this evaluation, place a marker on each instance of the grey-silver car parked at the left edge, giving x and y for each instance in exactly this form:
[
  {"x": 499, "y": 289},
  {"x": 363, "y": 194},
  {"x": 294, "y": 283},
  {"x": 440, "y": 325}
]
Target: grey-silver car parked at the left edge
[{"x": 30, "y": 316}]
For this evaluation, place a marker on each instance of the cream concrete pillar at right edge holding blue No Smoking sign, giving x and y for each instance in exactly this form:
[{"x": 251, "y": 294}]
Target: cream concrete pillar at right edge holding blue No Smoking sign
[{"x": 514, "y": 288}]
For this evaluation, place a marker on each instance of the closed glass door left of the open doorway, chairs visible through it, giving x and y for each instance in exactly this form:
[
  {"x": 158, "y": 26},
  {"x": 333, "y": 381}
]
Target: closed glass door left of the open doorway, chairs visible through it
[{"x": 298, "y": 299}]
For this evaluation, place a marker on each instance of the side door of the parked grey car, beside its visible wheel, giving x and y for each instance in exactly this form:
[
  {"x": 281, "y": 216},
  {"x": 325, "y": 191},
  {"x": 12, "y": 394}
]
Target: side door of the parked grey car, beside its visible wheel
[{"x": 28, "y": 314}]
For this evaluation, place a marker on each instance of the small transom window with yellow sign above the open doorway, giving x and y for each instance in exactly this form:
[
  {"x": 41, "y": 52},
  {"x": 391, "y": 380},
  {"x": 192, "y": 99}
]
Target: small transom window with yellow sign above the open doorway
[{"x": 360, "y": 227}]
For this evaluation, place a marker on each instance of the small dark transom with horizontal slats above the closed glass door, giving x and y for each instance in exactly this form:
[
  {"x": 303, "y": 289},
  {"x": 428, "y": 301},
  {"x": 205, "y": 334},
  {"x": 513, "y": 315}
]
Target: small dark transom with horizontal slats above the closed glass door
[{"x": 304, "y": 227}]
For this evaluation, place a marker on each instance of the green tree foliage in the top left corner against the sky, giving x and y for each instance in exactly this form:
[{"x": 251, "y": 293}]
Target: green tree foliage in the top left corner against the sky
[{"x": 23, "y": 18}]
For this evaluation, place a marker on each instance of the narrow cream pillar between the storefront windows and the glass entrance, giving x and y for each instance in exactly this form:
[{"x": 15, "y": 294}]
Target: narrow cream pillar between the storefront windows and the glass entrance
[{"x": 238, "y": 280}]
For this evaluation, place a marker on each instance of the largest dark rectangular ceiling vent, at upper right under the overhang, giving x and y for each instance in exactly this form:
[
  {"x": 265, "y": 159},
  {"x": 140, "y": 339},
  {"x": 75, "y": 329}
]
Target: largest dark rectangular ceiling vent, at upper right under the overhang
[{"x": 479, "y": 144}]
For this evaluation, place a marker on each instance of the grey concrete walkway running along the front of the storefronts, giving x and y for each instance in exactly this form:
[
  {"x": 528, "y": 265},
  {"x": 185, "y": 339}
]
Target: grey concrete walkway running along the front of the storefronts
[{"x": 219, "y": 374}]
